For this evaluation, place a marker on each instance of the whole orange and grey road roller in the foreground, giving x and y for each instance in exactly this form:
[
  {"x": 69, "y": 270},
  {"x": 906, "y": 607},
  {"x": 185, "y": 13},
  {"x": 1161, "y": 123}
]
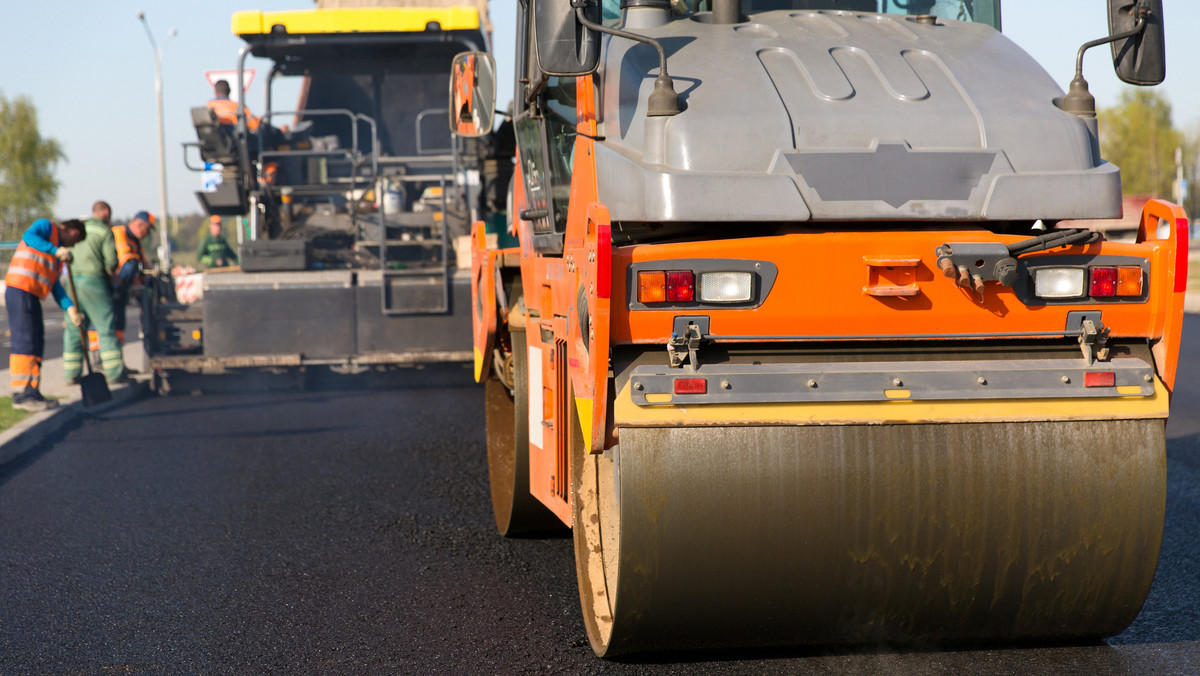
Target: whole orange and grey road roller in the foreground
[{"x": 790, "y": 326}]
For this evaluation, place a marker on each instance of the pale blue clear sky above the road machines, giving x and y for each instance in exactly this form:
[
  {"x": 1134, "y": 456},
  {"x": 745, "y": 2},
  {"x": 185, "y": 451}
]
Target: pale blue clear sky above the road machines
[{"x": 89, "y": 69}]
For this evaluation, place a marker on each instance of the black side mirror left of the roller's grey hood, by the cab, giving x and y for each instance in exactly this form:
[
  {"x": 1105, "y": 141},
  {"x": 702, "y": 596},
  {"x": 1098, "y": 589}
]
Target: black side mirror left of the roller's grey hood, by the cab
[{"x": 566, "y": 49}]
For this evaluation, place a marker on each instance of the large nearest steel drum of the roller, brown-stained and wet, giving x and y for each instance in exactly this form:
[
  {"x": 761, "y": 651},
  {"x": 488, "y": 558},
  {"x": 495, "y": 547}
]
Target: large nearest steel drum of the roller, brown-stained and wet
[{"x": 862, "y": 534}]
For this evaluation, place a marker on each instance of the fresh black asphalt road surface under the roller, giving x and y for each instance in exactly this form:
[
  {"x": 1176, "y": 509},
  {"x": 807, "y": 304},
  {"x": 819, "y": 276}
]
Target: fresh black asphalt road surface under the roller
[{"x": 350, "y": 533}]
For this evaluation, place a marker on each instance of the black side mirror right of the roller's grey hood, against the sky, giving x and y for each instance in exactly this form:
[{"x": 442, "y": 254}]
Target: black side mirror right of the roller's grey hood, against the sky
[{"x": 1141, "y": 59}]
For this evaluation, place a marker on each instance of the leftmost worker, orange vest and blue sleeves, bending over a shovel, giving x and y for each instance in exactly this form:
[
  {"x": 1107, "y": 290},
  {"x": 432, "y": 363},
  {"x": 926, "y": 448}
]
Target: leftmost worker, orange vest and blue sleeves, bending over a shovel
[{"x": 33, "y": 276}]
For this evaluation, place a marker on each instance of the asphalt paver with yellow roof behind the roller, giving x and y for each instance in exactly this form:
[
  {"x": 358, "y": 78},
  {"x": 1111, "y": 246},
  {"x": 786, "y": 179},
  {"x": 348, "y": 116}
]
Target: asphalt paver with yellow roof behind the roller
[{"x": 350, "y": 207}]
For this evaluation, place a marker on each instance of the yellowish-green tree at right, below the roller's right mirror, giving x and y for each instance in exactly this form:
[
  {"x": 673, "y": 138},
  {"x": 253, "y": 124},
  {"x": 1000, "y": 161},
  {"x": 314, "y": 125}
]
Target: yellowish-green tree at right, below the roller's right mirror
[{"x": 1138, "y": 136}]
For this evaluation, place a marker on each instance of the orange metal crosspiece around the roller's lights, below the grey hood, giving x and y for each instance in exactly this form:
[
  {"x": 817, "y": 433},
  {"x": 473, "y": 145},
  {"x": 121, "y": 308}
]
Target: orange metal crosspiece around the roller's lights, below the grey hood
[{"x": 819, "y": 292}]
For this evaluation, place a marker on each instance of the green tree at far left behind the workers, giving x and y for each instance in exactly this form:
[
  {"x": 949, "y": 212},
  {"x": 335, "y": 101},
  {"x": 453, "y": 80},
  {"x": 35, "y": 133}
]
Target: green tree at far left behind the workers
[{"x": 28, "y": 187}]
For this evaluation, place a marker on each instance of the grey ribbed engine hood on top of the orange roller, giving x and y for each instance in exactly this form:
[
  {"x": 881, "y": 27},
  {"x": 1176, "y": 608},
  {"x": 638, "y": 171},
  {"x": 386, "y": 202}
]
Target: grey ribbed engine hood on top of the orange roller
[{"x": 795, "y": 83}]
